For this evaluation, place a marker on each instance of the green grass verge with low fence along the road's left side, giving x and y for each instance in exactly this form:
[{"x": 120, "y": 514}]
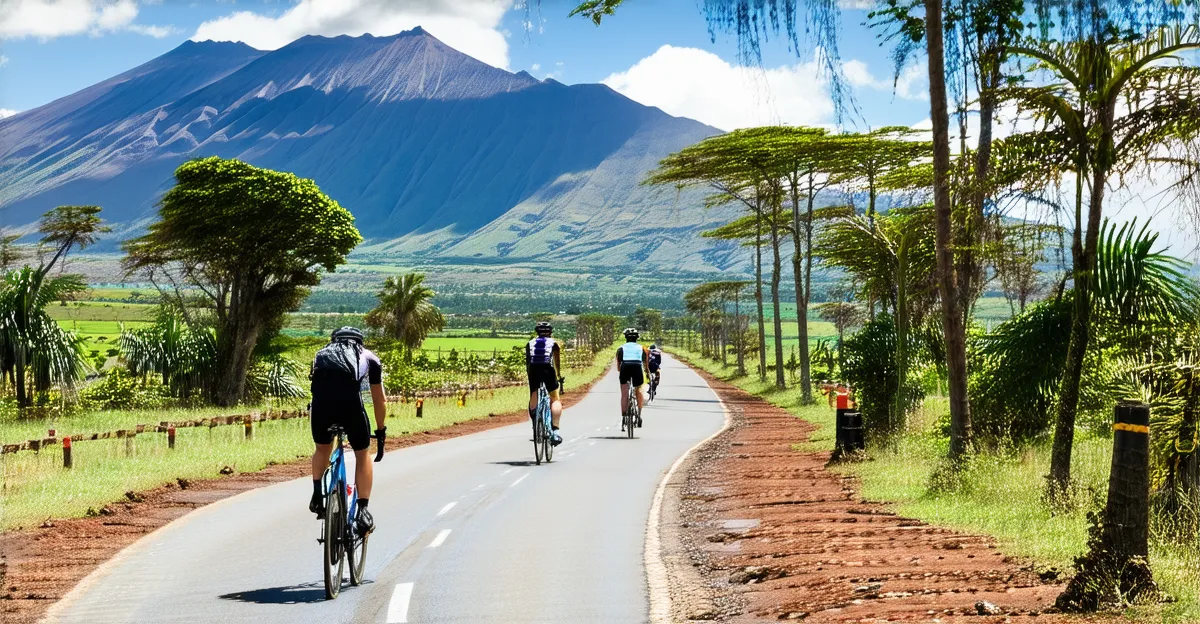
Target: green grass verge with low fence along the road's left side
[{"x": 35, "y": 487}]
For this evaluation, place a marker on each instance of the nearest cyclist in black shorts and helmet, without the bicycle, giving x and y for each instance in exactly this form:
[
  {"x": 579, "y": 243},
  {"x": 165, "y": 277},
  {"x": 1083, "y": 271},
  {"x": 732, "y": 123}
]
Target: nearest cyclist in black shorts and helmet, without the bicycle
[{"x": 343, "y": 370}]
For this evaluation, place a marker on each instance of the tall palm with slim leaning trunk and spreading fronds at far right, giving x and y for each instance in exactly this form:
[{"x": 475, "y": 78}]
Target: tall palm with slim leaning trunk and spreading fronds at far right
[{"x": 1099, "y": 77}]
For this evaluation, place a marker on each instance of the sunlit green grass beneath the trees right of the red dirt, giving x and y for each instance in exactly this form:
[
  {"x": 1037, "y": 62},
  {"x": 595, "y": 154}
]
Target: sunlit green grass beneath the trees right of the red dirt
[{"x": 1000, "y": 495}]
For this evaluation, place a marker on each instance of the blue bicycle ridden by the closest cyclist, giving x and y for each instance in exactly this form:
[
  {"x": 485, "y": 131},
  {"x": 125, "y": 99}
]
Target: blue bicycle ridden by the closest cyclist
[{"x": 339, "y": 537}]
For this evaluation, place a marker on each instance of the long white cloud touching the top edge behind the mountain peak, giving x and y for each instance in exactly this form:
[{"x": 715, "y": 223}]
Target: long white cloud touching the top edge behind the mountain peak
[{"x": 469, "y": 26}]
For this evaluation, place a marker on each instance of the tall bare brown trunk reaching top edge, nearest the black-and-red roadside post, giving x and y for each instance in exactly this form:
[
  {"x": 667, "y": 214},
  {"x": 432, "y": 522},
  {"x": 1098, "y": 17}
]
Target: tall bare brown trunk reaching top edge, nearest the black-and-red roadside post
[{"x": 952, "y": 319}]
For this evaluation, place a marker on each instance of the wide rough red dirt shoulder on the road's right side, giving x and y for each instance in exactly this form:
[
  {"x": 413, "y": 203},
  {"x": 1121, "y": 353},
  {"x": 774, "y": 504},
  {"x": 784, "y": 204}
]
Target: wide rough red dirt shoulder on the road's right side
[{"x": 781, "y": 537}]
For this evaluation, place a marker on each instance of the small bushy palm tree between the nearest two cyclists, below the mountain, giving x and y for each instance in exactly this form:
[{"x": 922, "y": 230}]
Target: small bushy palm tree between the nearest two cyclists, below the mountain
[{"x": 405, "y": 313}]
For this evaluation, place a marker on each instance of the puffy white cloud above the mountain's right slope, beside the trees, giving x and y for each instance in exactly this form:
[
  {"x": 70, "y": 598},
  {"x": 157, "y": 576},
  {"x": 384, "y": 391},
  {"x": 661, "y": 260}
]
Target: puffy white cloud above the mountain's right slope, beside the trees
[{"x": 699, "y": 85}]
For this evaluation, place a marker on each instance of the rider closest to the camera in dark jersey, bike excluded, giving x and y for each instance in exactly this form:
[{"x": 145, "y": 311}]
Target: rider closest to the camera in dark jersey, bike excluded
[{"x": 344, "y": 406}]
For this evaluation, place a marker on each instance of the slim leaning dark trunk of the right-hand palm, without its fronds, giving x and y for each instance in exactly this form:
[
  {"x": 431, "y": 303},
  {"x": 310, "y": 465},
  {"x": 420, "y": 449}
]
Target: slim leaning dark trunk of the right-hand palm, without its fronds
[{"x": 1081, "y": 334}]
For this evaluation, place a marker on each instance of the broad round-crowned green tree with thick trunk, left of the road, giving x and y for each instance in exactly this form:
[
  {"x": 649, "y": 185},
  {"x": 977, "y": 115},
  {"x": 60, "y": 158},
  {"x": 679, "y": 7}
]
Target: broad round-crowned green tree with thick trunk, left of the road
[{"x": 253, "y": 242}]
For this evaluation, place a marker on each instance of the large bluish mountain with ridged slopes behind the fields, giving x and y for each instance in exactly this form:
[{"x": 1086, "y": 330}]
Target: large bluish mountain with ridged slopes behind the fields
[{"x": 440, "y": 157}]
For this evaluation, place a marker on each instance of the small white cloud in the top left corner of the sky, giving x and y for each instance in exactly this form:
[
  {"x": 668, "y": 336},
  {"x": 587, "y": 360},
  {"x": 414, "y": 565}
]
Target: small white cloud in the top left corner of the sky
[{"x": 56, "y": 19}]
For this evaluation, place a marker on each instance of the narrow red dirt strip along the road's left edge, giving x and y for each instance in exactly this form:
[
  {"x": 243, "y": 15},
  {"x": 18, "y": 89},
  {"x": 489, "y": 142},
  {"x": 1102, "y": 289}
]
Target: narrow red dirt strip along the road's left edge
[{"x": 40, "y": 566}]
